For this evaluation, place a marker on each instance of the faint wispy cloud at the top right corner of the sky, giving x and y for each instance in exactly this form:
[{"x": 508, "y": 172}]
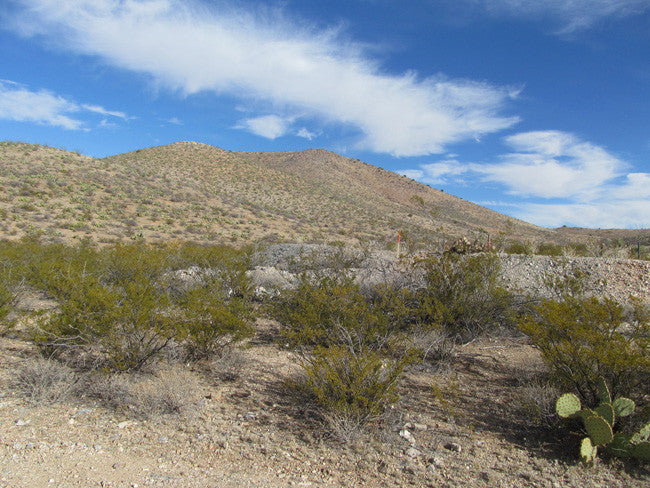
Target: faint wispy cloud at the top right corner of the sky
[{"x": 570, "y": 15}]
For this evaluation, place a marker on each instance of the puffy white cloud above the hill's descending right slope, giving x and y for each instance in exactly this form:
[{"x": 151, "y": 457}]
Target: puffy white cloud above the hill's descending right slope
[{"x": 578, "y": 183}]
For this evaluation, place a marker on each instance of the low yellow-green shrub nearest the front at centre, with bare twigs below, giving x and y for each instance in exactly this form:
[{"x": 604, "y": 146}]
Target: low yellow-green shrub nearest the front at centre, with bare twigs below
[{"x": 350, "y": 388}]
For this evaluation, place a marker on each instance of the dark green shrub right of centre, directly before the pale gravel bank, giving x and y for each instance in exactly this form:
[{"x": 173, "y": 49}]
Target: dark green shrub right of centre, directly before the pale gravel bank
[{"x": 462, "y": 295}]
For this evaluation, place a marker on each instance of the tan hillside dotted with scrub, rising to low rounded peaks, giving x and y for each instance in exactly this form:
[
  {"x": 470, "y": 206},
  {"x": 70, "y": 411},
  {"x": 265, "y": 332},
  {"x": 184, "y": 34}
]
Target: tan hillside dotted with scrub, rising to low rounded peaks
[{"x": 203, "y": 193}]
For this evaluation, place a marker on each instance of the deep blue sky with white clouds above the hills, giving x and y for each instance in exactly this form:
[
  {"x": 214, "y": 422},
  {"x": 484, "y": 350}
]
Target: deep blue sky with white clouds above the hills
[{"x": 539, "y": 110}]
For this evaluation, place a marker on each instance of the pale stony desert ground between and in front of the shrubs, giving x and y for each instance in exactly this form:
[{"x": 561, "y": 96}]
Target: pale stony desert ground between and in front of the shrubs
[{"x": 469, "y": 423}]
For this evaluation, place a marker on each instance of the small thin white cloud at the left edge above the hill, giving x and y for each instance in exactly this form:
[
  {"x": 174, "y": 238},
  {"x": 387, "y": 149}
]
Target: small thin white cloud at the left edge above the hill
[{"x": 43, "y": 107}]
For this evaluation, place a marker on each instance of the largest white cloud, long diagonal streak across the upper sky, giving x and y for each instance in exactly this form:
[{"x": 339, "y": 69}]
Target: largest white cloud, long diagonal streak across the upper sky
[{"x": 192, "y": 47}]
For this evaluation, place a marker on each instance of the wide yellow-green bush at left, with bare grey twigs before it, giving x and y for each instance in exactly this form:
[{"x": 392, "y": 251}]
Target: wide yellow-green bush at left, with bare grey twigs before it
[{"x": 121, "y": 328}]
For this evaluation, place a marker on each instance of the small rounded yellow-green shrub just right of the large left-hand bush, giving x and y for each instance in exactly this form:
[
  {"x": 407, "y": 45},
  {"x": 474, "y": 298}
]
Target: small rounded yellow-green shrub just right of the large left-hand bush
[{"x": 211, "y": 319}]
